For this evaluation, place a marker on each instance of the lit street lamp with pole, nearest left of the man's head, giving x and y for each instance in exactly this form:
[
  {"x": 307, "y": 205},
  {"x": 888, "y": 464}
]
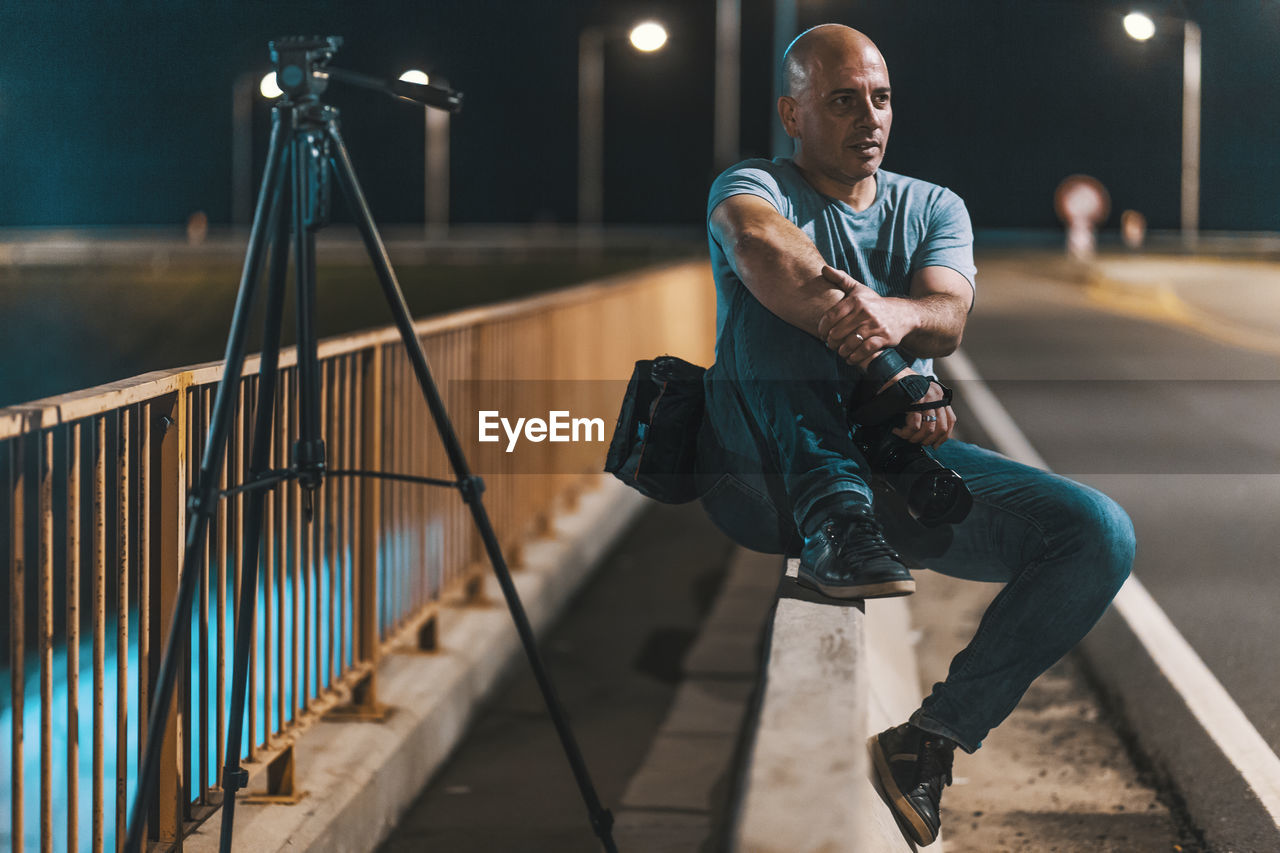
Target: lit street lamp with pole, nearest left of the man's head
[{"x": 647, "y": 37}]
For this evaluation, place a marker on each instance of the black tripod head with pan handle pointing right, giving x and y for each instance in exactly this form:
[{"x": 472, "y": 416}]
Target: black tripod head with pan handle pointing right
[{"x": 303, "y": 74}]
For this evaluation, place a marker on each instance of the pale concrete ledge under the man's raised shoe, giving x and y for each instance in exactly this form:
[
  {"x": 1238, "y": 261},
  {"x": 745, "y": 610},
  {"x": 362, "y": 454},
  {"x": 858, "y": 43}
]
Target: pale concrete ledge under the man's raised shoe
[{"x": 835, "y": 674}]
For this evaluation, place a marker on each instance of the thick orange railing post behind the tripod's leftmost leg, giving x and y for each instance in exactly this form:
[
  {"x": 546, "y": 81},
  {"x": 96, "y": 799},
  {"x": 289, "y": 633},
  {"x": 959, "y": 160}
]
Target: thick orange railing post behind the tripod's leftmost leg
[{"x": 170, "y": 522}]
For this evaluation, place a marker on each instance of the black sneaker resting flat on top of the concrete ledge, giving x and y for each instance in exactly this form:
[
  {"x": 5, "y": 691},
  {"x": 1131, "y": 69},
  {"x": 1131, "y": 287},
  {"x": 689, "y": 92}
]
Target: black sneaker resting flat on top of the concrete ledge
[{"x": 848, "y": 558}]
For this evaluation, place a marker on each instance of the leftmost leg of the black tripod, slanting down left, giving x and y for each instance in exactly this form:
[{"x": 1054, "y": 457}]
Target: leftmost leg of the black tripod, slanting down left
[{"x": 203, "y": 499}]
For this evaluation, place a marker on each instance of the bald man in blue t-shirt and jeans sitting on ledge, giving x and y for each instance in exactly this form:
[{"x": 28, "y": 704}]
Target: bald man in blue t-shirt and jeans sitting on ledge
[{"x": 828, "y": 270}]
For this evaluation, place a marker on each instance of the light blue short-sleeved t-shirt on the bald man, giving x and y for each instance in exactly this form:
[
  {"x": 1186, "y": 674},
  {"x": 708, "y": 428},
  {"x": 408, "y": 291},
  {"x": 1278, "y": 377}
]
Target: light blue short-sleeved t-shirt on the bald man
[{"x": 911, "y": 226}]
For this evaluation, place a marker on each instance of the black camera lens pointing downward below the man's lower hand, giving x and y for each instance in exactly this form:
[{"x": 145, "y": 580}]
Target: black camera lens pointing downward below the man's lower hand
[{"x": 935, "y": 495}]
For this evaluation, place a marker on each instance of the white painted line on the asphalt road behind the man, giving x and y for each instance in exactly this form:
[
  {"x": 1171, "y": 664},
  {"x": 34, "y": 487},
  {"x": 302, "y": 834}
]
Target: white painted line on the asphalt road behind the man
[{"x": 1205, "y": 696}]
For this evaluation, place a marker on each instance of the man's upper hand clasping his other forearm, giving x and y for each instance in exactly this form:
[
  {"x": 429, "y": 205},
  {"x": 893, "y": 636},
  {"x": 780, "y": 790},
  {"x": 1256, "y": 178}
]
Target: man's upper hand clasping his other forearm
[{"x": 863, "y": 323}]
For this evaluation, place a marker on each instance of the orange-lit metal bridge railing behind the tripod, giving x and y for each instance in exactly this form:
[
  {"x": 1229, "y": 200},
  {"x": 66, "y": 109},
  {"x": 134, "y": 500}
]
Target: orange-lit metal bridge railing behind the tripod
[{"x": 93, "y": 518}]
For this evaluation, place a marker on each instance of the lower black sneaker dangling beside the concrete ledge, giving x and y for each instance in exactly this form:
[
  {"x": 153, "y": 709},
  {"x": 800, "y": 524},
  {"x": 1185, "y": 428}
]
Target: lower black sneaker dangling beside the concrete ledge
[{"x": 913, "y": 767}]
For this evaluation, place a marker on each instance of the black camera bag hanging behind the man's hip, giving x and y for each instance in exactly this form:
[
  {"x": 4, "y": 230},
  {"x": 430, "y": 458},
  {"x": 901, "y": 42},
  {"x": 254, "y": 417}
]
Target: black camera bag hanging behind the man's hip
[{"x": 655, "y": 446}]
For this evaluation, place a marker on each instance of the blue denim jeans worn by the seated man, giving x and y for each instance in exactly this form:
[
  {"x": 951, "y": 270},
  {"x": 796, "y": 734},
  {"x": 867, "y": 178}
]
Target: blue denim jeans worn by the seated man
[{"x": 776, "y": 435}]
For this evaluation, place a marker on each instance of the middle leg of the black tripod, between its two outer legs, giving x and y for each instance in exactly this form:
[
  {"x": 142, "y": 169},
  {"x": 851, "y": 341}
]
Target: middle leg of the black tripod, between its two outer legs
[{"x": 246, "y": 609}]
